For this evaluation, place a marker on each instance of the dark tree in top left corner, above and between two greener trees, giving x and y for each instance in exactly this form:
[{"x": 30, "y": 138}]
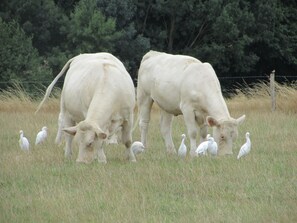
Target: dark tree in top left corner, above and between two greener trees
[{"x": 41, "y": 19}]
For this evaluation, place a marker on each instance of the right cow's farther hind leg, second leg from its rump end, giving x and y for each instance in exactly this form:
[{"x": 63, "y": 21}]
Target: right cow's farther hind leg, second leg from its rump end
[{"x": 166, "y": 124}]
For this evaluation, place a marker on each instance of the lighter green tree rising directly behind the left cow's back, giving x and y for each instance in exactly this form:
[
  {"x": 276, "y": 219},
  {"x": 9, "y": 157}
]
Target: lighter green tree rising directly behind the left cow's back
[{"x": 90, "y": 30}]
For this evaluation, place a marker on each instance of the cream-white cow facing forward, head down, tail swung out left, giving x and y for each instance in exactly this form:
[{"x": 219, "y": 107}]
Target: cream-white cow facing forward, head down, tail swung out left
[{"x": 97, "y": 101}]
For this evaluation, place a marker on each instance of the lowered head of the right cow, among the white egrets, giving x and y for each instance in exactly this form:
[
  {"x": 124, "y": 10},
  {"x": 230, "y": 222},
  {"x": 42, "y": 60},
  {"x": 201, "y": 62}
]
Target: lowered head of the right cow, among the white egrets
[{"x": 225, "y": 133}]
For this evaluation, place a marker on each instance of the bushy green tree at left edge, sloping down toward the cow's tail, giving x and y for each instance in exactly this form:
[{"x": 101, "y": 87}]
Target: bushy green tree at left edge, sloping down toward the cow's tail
[{"x": 19, "y": 59}]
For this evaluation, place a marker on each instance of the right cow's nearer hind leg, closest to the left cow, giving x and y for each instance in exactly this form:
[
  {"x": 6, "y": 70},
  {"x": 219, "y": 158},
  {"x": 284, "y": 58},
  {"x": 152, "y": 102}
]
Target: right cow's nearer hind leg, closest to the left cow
[{"x": 144, "y": 105}]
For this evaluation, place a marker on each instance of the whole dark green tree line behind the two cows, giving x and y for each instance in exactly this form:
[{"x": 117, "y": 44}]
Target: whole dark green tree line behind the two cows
[{"x": 239, "y": 38}]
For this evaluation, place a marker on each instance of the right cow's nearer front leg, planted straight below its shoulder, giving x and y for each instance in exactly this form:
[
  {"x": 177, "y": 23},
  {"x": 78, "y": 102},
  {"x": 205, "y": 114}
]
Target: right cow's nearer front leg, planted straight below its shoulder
[{"x": 189, "y": 117}]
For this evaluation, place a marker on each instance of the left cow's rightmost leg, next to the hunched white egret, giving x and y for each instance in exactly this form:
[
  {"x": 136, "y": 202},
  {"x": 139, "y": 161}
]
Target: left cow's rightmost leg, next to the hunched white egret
[{"x": 127, "y": 138}]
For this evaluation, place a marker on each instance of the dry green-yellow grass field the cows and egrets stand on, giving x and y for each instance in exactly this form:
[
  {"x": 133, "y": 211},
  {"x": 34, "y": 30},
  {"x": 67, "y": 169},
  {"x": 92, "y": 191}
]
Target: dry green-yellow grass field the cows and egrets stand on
[{"x": 41, "y": 186}]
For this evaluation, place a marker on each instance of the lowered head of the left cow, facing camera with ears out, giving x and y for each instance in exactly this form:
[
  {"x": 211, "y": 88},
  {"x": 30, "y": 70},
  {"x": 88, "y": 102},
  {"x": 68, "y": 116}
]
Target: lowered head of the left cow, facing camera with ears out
[{"x": 89, "y": 137}]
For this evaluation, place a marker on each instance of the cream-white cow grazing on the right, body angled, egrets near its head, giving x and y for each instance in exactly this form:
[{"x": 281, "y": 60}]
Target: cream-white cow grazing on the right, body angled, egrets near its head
[{"x": 184, "y": 85}]
